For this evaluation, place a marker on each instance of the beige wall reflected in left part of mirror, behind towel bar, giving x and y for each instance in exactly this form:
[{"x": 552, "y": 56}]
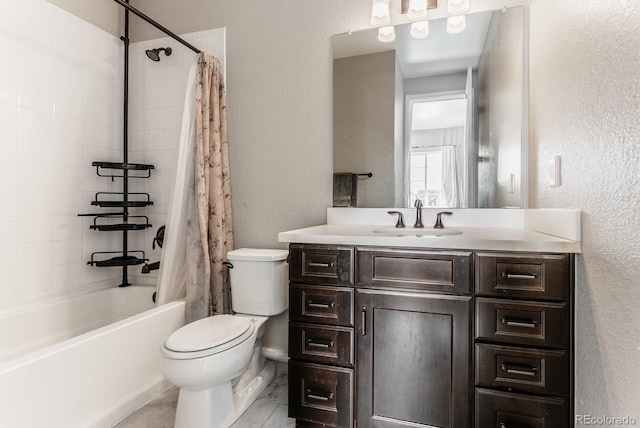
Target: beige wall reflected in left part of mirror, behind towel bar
[{"x": 363, "y": 126}]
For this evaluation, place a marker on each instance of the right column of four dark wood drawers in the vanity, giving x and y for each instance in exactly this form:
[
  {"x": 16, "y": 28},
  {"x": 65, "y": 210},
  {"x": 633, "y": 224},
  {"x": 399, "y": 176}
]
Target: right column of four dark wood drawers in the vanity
[{"x": 523, "y": 340}]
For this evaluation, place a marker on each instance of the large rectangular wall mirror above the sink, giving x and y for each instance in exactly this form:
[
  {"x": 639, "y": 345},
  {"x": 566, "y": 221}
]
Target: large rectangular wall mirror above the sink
[{"x": 443, "y": 119}]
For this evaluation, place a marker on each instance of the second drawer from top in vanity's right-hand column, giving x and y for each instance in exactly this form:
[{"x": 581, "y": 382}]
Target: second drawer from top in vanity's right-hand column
[{"x": 522, "y": 322}]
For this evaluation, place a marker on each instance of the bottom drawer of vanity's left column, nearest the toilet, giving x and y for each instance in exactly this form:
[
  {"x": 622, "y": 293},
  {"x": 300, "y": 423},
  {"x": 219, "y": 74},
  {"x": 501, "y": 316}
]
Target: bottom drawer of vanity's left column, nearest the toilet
[{"x": 321, "y": 394}]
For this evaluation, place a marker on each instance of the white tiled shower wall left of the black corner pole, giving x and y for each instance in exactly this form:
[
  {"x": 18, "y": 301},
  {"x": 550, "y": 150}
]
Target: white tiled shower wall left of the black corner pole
[{"x": 60, "y": 108}]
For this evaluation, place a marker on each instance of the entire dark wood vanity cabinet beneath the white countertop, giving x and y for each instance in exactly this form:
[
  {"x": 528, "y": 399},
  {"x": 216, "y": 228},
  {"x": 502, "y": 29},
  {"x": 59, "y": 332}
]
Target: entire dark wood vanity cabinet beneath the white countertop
[{"x": 399, "y": 337}]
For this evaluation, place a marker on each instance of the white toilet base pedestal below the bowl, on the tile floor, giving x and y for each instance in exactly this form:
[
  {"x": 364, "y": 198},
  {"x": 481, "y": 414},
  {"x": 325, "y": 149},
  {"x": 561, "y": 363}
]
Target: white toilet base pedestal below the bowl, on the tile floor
[{"x": 221, "y": 405}]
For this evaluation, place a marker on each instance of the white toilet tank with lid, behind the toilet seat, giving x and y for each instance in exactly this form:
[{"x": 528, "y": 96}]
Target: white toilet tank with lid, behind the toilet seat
[{"x": 259, "y": 281}]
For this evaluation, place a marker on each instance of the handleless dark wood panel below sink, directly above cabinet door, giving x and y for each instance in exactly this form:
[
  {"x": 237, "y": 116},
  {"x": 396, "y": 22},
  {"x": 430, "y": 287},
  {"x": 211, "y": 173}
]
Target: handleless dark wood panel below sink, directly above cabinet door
[{"x": 414, "y": 270}]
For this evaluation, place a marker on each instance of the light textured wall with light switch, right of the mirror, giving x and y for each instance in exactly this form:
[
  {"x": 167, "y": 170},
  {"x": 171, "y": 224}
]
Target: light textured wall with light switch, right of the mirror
[{"x": 585, "y": 95}]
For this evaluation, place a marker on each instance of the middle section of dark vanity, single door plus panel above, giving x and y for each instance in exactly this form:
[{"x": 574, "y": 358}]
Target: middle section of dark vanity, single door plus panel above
[{"x": 413, "y": 338}]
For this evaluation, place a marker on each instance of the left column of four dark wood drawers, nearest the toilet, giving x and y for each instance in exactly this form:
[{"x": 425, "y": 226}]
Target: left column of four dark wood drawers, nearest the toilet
[{"x": 321, "y": 335}]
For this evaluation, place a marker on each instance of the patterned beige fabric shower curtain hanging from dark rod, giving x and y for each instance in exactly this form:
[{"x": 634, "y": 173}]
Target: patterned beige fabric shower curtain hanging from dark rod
[{"x": 209, "y": 222}]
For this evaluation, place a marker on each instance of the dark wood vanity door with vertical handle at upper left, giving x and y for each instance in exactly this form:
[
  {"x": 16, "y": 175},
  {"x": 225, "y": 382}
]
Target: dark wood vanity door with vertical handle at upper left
[{"x": 413, "y": 360}]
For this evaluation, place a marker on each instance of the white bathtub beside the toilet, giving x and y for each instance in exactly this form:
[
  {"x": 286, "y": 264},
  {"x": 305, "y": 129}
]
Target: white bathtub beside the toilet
[{"x": 88, "y": 361}]
